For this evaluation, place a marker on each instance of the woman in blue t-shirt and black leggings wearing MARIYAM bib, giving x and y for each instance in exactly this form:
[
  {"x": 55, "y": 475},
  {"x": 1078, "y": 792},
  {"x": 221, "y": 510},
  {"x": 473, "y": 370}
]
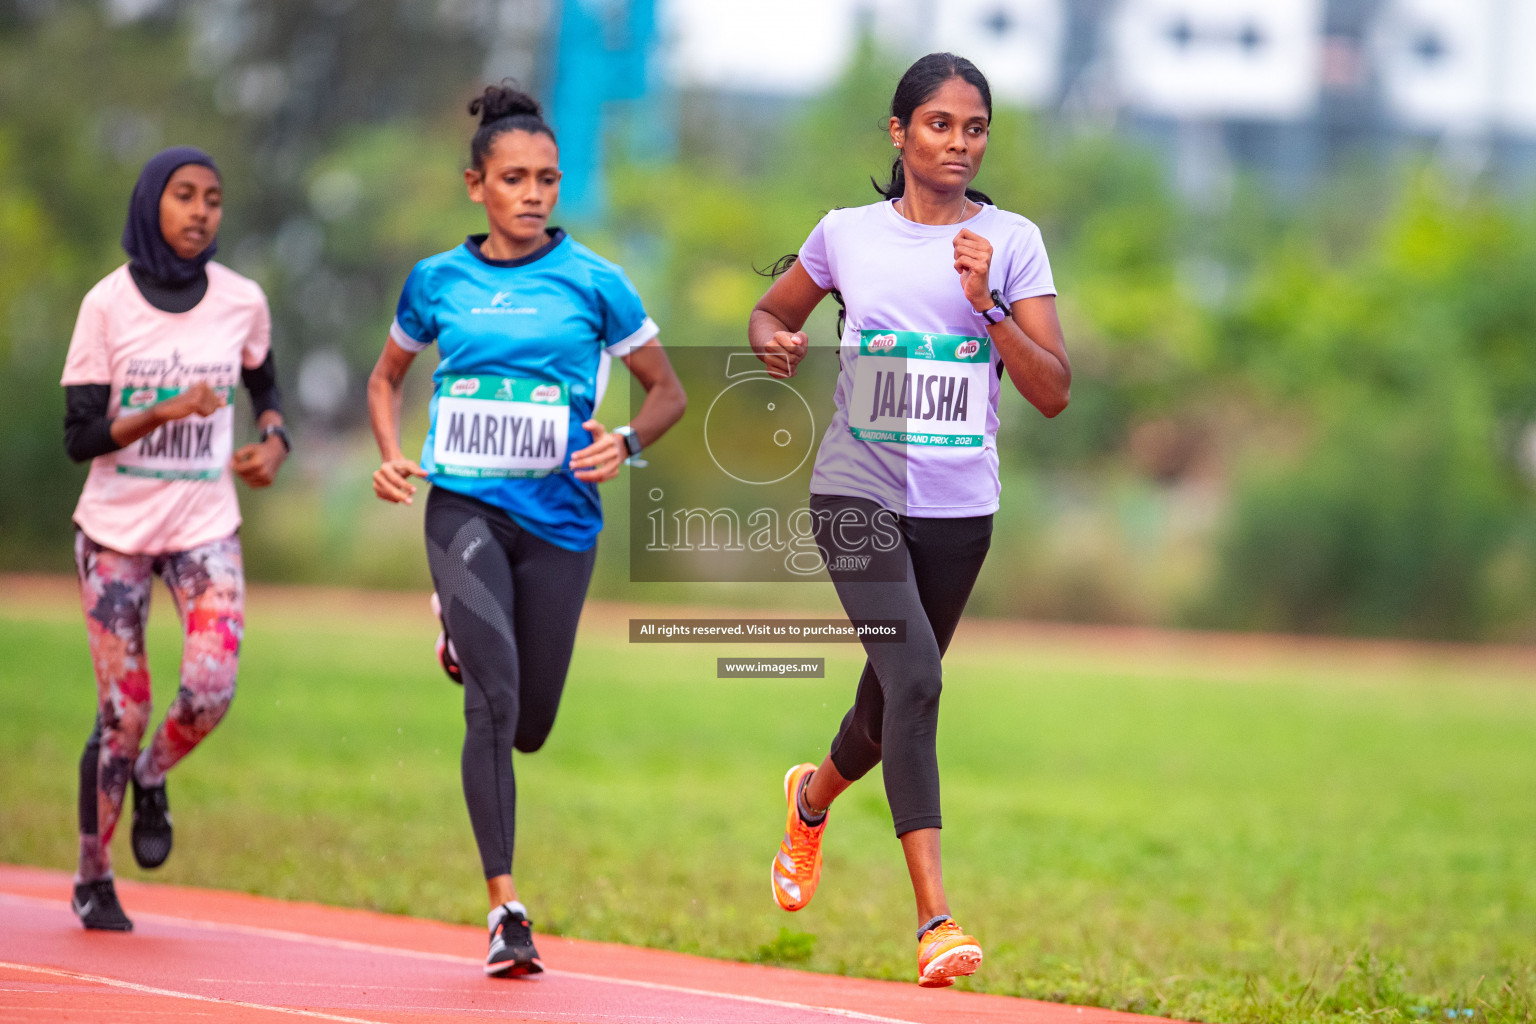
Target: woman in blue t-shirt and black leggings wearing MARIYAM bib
[{"x": 526, "y": 322}]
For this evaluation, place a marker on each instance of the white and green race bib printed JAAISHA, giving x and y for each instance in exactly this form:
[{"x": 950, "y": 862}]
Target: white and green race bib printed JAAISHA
[{"x": 913, "y": 388}]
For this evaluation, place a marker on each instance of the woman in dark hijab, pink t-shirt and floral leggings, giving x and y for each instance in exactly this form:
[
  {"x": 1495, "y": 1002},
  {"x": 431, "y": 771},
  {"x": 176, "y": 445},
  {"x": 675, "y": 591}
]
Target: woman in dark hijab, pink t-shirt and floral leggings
[{"x": 157, "y": 352}]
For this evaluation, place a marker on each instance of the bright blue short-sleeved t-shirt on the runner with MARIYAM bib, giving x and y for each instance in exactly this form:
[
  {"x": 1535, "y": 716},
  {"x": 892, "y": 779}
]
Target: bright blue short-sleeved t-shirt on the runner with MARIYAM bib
[{"x": 552, "y": 319}]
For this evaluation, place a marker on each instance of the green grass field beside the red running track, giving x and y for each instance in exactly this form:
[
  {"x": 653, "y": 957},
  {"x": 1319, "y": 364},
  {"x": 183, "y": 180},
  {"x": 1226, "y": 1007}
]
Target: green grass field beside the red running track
[{"x": 1205, "y": 831}]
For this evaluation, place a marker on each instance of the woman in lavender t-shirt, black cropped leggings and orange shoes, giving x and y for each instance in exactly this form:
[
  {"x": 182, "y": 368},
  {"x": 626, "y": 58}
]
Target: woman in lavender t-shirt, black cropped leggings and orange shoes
[{"x": 945, "y": 296}]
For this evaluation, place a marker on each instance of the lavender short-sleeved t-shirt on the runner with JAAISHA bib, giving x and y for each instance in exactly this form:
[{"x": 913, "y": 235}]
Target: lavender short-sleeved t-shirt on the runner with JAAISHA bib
[{"x": 899, "y": 277}]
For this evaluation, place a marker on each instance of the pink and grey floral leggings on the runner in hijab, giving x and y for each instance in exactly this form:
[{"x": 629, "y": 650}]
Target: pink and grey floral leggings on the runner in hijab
[{"x": 208, "y": 586}]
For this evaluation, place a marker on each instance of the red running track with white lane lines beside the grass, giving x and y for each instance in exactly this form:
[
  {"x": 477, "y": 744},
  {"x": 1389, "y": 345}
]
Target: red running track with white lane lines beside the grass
[{"x": 199, "y": 957}]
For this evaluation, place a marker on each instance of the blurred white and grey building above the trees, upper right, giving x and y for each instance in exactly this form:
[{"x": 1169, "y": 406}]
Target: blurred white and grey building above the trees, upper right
[{"x": 1286, "y": 87}]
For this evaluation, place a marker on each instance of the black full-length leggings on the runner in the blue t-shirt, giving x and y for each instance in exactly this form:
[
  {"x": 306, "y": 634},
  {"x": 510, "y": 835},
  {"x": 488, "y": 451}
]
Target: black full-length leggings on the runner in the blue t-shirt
[{"x": 511, "y": 603}]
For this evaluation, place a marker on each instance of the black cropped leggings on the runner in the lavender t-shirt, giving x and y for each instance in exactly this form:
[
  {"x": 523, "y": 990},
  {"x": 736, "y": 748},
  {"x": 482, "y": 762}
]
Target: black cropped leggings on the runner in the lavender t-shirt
[{"x": 895, "y": 719}]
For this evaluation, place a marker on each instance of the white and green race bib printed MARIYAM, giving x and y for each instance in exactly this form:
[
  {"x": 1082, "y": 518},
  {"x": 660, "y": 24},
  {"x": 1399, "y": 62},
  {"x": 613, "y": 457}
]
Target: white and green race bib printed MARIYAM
[{"x": 492, "y": 426}]
